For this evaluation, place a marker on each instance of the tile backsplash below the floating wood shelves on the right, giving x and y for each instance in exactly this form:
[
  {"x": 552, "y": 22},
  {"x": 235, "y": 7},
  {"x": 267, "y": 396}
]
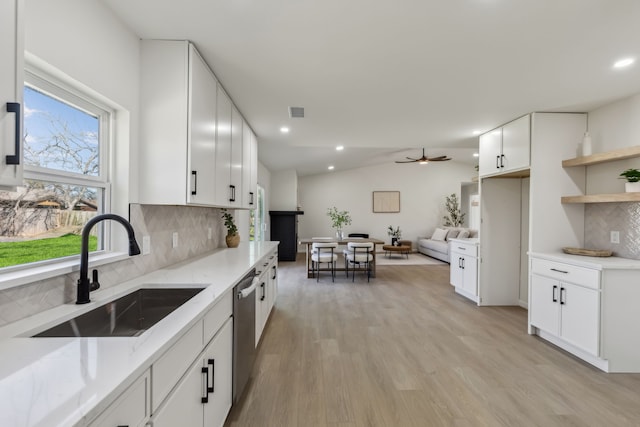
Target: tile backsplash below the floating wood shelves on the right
[{"x": 602, "y": 218}]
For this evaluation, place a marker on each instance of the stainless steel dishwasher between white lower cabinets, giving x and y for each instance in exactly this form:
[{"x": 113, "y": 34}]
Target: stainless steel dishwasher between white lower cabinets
[{"x": 244, "y": 331}]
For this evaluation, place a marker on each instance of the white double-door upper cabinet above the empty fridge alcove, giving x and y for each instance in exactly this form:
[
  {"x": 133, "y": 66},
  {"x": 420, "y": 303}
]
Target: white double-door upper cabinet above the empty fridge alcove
[{"x": 506, "y": 149}]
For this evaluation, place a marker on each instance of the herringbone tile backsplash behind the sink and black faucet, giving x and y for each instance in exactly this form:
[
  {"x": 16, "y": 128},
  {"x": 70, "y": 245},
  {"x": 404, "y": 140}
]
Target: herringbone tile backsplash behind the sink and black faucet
[{"x": 157, "y": 222}]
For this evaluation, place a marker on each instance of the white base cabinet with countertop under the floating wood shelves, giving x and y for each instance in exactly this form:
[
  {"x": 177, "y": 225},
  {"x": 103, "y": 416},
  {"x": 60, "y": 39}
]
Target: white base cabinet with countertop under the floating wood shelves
[{"x": 588, "y": 307}]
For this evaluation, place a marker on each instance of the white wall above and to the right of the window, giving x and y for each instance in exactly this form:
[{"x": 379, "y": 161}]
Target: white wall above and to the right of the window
[{"x": 88, "y": 44}]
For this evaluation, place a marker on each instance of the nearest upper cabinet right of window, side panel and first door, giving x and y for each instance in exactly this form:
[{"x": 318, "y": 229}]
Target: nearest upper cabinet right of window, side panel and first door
[{"x": 178, "y": 123}]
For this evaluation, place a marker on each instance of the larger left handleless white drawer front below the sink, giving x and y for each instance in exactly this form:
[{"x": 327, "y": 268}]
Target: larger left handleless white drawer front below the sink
[{"x": 167, "y": 370}]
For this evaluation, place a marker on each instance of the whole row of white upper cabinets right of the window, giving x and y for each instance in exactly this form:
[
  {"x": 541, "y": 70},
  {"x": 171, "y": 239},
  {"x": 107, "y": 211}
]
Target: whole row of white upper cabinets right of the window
[{"x": 192, "y": 141}]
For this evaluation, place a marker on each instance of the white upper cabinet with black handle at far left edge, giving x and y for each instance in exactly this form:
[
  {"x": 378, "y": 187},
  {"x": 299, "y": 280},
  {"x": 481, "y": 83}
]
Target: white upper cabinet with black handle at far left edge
[{"x": 11, "y": 86}]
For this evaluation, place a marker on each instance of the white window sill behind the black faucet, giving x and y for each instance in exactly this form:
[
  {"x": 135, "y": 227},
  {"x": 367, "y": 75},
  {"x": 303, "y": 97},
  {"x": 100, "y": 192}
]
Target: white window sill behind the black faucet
[{"x": 23, "y": 276}]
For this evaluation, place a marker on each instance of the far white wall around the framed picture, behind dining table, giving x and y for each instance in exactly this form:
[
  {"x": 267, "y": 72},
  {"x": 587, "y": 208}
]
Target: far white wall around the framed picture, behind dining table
[{"x": 423, "y": 189}]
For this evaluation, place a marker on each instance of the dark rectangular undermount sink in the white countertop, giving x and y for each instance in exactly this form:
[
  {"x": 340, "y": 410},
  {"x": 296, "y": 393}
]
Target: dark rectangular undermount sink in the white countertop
[{"x": 127, "y": 316}]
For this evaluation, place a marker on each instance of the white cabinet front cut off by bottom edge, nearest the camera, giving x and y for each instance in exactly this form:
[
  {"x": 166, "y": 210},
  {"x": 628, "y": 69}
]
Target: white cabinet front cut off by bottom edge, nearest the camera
[{"x": 131, "y": 408}]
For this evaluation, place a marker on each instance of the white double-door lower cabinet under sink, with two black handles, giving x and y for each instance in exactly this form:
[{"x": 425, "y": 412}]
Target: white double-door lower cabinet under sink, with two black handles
[{"x": 203, "y": 395}]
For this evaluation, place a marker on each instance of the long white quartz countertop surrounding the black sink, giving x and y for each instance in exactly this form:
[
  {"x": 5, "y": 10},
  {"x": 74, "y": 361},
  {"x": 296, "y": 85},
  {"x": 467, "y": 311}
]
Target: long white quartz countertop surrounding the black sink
[{"x": 69, "y": 381}]
